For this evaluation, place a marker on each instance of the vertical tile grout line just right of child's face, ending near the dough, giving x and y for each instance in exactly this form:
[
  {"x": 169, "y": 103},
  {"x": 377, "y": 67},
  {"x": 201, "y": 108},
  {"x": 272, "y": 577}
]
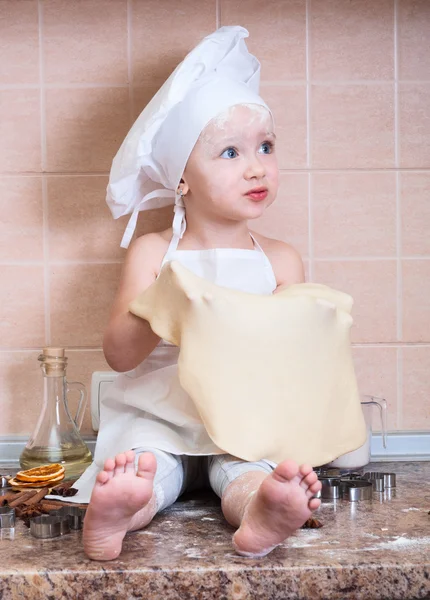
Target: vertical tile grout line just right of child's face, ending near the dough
[{"x": 308, "y": 147}]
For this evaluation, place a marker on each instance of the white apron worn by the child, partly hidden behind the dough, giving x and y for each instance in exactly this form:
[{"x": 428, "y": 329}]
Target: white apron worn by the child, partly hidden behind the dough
[{"x": 147, "y": 406}]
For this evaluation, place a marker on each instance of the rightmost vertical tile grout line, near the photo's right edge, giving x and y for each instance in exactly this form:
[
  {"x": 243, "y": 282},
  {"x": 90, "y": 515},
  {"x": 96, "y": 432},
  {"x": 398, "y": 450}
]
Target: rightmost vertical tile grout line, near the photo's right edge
[{"x": 399, "y": 290}]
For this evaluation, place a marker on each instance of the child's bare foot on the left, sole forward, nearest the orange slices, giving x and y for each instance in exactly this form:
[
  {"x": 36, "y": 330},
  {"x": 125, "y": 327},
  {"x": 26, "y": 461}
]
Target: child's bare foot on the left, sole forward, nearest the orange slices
[{"x": 118, "y": 495}]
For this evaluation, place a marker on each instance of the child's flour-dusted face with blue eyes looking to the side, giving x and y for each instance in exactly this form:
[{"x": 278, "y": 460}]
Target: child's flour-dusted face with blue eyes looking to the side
[{"x": 234, "y": 154}]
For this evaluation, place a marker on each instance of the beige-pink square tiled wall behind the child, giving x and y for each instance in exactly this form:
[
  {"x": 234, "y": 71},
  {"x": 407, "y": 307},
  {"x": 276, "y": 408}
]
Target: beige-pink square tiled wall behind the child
[{"x": 349, "y": 83}]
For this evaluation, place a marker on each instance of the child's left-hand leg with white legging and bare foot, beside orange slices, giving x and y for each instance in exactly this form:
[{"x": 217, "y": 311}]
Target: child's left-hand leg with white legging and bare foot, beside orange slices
[{"x": 126, "y": 497}]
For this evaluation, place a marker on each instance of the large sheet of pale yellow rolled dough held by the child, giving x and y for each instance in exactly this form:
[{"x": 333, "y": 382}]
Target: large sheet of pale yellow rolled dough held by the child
[{"x": 271, "y": 376}]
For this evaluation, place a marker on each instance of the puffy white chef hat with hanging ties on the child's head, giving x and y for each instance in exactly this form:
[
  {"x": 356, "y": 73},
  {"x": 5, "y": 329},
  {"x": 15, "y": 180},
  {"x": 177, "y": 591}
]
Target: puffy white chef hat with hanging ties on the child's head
[{"x": 217, "y": 74}]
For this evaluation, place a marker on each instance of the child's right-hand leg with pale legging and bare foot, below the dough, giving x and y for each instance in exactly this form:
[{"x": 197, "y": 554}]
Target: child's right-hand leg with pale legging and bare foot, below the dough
[{"x": 266, "y": 505}]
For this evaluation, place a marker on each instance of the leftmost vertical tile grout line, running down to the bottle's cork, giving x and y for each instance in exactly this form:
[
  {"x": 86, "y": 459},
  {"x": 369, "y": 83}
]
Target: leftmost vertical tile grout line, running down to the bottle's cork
[{"x": 45, "y": 218}]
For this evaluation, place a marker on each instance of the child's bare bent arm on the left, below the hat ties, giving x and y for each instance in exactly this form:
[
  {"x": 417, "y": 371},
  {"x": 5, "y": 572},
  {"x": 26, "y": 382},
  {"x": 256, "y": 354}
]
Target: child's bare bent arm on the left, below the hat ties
[{"x": 128, "y": 340}]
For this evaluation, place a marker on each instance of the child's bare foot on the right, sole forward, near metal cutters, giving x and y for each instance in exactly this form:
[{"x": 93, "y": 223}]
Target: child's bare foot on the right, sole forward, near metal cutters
[{"x": 282, "y": 503}]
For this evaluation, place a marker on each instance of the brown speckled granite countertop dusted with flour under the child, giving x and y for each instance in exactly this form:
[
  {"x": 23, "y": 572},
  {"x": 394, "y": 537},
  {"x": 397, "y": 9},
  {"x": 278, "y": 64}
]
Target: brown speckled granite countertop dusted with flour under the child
[{"x": 371, "y": 550}]
